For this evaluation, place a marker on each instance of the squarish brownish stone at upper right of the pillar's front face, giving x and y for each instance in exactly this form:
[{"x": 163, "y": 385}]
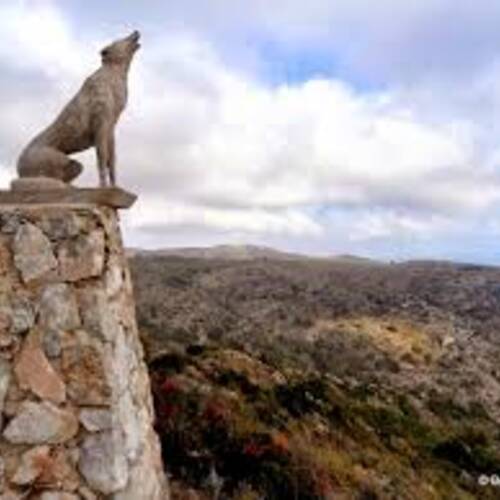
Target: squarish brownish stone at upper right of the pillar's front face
[{"x": 82, "y": 257}]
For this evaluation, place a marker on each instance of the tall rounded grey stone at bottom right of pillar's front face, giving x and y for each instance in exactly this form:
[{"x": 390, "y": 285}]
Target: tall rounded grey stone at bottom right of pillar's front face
[{"x": 103, "y": 463}]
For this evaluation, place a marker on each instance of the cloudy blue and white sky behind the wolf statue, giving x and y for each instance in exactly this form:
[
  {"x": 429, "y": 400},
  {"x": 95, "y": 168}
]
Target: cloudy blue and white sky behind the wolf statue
[{"x": 320, "y": 127}]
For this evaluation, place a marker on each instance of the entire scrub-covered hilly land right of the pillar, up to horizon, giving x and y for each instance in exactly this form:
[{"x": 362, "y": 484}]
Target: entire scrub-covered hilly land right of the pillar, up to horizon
[{"x": 323, "y": 378}]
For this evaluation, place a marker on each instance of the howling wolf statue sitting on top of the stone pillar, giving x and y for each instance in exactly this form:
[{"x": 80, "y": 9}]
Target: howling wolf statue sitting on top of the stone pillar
[{"x": 88, "y": 120}]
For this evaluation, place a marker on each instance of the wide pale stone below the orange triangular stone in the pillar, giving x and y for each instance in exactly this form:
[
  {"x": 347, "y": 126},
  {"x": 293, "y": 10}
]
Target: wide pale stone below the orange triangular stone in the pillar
[{"x": 41, "y": 423}]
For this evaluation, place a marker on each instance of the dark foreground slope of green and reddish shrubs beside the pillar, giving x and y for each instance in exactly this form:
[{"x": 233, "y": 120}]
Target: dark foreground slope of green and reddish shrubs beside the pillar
[{"x": 304, "y": 436}]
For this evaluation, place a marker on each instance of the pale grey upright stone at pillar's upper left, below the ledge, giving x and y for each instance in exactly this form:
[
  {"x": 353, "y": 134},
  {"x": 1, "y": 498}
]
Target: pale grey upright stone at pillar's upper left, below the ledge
[{"x": 33, "y": 254}]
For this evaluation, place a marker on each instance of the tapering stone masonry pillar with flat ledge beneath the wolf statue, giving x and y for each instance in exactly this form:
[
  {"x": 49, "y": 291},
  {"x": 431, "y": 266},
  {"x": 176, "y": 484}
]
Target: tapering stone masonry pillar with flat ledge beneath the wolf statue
[{"x": 75, "y": 404}]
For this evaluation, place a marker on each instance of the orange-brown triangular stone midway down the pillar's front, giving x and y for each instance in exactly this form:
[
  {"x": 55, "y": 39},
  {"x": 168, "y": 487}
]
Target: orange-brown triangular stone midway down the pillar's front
[{"x": 34, "y": 372}]
